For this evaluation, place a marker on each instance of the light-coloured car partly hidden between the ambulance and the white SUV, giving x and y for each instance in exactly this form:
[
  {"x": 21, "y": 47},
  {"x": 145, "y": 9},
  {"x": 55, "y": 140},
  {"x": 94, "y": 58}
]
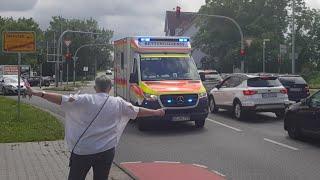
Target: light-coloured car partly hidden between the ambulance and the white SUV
[{"x": 210, "y": 78}]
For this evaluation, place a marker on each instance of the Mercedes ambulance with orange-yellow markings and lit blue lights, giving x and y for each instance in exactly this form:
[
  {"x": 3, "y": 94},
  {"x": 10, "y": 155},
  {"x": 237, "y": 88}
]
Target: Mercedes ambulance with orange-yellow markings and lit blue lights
[{"x": 159, "y": 72}]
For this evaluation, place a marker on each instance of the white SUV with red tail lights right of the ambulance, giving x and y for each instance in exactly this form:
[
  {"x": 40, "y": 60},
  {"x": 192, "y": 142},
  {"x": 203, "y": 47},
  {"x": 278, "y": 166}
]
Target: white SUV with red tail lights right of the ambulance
[{"x": 243, "y": 93}]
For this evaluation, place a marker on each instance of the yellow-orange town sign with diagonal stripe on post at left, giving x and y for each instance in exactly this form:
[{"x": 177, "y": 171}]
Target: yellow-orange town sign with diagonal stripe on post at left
[{"x": 18, "y": 42}]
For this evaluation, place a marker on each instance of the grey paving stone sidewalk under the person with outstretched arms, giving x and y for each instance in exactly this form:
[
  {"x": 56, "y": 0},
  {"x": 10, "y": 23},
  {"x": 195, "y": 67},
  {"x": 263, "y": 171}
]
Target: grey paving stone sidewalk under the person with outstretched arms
[{"x": 41, "y": 161}]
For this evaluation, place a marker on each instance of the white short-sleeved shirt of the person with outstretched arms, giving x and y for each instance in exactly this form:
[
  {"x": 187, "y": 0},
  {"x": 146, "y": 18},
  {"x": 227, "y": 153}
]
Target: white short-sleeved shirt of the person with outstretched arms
[{"x": 105, "y": 131}]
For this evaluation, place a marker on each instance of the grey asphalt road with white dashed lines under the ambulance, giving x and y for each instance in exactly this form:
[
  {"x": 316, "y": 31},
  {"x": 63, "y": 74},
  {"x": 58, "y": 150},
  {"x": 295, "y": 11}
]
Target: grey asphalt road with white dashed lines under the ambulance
[{"x": 257, "y": 148}]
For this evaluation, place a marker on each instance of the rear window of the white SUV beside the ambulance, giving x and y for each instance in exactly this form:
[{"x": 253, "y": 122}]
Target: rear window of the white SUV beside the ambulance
[{"x": 263, "y": 82}]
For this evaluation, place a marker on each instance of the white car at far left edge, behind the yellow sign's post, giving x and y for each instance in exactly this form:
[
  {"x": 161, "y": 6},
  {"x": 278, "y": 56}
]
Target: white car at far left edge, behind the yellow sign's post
[{"x": 9, "y": 85}]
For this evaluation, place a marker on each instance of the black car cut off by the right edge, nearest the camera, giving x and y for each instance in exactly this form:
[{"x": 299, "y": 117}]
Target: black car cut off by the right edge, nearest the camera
[{"x": 303, "y": 118}]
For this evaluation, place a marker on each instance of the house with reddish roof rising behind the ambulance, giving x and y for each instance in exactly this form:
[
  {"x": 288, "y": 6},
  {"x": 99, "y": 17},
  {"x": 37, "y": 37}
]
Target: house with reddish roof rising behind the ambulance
[{"x": 184, "y": 25}]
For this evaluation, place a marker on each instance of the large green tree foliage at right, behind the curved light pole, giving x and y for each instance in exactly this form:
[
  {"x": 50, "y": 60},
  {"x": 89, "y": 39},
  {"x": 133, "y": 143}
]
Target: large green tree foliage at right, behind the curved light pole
[{"x": 259, "y": 19}]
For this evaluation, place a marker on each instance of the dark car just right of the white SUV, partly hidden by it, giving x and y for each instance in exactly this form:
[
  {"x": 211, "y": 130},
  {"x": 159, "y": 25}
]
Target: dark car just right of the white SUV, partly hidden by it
[{"x": 297, "y": 87}]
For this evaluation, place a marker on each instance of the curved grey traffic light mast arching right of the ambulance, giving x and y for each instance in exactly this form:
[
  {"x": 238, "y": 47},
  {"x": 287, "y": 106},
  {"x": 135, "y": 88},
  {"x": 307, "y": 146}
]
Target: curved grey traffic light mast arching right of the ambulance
[{"x": 235, "y": 23}]
